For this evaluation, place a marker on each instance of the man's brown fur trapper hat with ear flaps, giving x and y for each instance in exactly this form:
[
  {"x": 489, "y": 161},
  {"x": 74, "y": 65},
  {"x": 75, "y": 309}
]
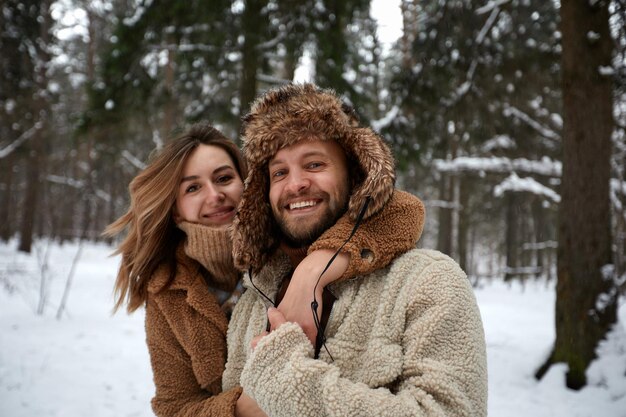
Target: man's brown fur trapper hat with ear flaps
[{"x": 280, "y": 118}]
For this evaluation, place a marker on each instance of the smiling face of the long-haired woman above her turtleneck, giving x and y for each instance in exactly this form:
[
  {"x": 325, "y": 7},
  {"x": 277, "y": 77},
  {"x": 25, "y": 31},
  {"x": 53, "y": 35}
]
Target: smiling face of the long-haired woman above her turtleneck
[{"x": 210, "y": 188}]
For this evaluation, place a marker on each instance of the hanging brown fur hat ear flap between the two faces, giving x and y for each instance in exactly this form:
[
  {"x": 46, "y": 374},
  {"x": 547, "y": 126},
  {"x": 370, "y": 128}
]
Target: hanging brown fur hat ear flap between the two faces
[{"x": 253, "y": 225}]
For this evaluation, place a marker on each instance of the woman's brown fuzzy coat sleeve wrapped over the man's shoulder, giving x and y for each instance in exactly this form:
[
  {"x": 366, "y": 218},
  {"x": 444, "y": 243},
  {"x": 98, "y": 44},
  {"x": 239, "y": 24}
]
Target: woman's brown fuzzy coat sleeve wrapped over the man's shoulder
[{"x": 381, "y": 238}]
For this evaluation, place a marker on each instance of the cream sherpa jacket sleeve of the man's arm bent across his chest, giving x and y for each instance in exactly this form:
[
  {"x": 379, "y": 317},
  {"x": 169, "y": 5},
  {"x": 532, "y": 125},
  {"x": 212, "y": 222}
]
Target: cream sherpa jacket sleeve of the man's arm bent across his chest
[{"x": 443, "y": 368}]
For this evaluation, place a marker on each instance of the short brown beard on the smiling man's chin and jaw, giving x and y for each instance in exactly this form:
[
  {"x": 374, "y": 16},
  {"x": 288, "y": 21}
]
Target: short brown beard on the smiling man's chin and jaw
[{"x": 299, "y": 237}]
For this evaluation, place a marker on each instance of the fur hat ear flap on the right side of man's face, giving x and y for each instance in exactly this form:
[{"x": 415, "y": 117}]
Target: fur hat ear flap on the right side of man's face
[{"x": 377, "y": 163}]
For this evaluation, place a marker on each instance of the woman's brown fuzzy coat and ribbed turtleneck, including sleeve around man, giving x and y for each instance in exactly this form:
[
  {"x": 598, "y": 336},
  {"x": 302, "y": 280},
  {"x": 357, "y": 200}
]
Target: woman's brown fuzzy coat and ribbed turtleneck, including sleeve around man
[{"x": 186, "y": 326}]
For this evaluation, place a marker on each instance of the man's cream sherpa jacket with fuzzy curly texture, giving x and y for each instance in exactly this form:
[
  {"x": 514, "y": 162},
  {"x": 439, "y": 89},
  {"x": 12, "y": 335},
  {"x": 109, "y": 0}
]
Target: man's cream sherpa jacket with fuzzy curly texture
[{"x": 406, "y": 341}]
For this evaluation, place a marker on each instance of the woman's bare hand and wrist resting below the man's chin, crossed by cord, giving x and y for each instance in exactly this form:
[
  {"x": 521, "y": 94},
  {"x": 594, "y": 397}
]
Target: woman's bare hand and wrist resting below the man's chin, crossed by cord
[{"x": 296, "y": 304}]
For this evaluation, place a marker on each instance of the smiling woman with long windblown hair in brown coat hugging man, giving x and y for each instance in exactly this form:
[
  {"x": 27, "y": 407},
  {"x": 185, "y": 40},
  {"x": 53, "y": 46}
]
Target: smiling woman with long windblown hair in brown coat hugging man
[{"x": 176, "y": 260}]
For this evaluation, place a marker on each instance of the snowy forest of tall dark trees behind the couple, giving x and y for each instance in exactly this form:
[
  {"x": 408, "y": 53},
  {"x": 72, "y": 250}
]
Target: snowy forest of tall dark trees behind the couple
[{"x": 507, "y": 117}]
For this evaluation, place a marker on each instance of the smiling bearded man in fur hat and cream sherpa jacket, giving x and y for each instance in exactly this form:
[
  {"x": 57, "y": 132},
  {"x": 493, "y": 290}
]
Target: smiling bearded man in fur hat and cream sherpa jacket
[{"x": 406, "y": 340}]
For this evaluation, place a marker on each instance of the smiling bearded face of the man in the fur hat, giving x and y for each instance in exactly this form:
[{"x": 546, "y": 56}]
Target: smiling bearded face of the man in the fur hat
[{"x": 309, "y": 189}]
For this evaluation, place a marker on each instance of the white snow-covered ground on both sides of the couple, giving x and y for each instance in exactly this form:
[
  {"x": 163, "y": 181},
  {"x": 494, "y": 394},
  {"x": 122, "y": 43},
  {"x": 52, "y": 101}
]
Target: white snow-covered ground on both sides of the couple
[{"x": 92, "y": 363}]
